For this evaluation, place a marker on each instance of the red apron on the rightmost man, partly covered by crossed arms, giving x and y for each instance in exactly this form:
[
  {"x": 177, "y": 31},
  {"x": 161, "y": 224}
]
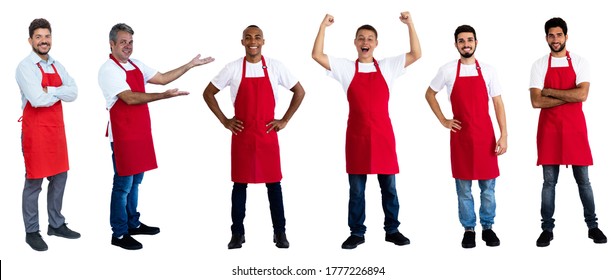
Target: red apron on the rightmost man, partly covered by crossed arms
[{"x": 562, "y": 132}]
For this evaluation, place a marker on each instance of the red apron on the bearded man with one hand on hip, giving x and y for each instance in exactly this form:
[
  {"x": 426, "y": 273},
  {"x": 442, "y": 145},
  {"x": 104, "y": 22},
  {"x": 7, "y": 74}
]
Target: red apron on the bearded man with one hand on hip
[{"x": 473, "y": 154}]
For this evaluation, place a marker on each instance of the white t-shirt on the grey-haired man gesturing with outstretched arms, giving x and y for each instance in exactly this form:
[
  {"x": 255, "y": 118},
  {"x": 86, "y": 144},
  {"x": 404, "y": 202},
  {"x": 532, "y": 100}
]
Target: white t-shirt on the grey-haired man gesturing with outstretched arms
[{"x": 112, "y": 81}]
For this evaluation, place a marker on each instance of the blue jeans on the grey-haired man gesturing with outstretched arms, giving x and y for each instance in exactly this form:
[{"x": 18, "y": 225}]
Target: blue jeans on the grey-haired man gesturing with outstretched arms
[{"x": 124, "y": 200}]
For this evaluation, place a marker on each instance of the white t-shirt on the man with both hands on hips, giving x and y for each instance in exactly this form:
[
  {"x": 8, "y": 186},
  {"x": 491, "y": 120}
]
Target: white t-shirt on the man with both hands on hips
[{"x": 230, "y": 75}]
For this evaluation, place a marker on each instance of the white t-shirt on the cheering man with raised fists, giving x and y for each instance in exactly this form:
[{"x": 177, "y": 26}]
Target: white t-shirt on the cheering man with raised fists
[{"x": 343, "y": 69}]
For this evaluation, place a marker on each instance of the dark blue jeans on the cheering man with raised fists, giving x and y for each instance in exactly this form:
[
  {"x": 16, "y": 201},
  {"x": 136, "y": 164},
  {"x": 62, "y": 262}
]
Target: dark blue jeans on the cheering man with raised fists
[{"x": 356, "y": 204}]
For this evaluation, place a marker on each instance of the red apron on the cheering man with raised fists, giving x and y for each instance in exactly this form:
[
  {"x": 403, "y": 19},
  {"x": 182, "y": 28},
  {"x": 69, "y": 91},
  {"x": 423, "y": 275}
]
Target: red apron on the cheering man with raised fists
[{"x": 370, "y": 142}]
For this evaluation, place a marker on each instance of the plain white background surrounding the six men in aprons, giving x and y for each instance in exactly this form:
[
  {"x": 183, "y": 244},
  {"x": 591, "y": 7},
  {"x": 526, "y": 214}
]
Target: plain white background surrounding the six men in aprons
[{"x": 188, "y": 196}]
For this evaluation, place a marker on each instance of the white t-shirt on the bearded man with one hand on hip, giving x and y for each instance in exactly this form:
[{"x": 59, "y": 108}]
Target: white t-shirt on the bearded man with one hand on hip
[{"x": 448, "y": 73}]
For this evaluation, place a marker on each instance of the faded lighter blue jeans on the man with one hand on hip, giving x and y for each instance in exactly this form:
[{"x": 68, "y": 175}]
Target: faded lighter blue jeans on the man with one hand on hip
[{"x": 465, "y": 201}]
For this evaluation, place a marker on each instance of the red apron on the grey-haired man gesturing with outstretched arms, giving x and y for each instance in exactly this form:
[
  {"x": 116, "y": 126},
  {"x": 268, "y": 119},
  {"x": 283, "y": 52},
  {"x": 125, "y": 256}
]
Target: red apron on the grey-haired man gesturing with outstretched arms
[{"x": 133, "y": 146}]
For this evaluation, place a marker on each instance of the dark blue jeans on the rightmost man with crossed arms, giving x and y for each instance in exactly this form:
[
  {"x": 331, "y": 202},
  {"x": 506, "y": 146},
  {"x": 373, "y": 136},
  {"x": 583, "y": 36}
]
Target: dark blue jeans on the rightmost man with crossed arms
[{"x": 547, "y": 208}]
